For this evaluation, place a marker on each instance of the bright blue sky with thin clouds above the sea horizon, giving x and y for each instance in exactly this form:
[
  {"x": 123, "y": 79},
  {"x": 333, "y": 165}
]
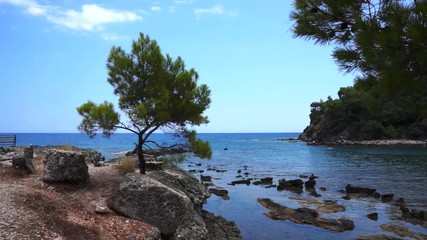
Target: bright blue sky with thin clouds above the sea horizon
[{"x": 53, "y": 56}]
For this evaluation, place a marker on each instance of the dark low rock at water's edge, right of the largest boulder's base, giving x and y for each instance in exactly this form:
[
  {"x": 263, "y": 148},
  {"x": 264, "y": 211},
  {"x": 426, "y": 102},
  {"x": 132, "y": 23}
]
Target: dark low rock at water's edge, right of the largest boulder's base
[{"x": 219, "y": 228}]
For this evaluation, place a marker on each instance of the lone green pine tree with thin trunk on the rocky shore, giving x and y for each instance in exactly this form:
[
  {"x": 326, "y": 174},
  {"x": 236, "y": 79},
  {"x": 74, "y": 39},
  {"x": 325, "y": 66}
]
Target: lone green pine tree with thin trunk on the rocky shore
[{"x": 155, "y": 93}]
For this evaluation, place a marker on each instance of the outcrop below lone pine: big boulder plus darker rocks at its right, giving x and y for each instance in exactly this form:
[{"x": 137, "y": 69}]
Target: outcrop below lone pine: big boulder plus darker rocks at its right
[{"x": 170, "y": 200}]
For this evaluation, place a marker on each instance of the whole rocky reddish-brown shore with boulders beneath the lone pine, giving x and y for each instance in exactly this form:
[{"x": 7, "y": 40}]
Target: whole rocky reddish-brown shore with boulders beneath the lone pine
[{"x": 163, "y": 204}]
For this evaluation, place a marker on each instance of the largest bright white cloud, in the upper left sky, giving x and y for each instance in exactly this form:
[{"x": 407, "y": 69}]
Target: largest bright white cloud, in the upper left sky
[{"x": 91, "y": 17}]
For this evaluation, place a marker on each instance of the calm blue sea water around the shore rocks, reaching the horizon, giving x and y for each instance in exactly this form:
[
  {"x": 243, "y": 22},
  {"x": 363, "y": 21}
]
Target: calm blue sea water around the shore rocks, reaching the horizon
[{"x": 391, "y": 170}]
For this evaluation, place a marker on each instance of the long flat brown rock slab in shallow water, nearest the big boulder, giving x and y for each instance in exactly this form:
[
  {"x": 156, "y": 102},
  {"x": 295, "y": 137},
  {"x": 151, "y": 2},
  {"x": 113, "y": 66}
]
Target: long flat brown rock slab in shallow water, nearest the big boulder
[{"x": 304, "y": 216}]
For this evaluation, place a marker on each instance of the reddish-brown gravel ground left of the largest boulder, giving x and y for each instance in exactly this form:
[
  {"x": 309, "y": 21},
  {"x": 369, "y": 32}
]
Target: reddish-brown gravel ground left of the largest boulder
[{"x": 31, "y": 209}]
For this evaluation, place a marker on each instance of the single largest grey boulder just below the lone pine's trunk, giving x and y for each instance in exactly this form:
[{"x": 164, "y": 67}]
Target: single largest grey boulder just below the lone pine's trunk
[{"x": 162, "y": 204}]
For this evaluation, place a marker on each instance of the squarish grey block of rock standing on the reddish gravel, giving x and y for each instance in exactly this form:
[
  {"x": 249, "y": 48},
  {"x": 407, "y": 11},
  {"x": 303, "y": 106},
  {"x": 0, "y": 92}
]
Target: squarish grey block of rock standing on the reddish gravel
[{"x": 65, "y": 166}]
